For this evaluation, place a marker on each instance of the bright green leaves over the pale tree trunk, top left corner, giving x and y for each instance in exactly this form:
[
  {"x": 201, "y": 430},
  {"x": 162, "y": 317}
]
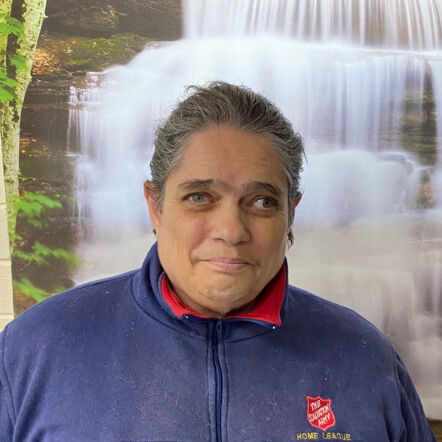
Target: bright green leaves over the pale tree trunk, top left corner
[{"x": 8, "y": 85}]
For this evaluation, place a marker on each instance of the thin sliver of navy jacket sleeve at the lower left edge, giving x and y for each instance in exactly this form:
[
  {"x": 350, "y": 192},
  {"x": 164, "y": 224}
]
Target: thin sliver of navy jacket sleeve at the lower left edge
[{"x": 6, "y": 405}]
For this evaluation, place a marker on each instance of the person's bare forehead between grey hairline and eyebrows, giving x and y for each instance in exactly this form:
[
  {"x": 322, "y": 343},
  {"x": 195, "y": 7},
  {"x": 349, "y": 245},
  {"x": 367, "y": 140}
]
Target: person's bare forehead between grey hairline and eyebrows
[{"x": 231, "y": 156}]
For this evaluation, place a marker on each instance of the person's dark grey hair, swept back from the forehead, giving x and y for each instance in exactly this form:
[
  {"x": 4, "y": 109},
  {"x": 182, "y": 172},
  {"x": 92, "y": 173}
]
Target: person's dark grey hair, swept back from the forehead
[{"x": 220, "y": 104}]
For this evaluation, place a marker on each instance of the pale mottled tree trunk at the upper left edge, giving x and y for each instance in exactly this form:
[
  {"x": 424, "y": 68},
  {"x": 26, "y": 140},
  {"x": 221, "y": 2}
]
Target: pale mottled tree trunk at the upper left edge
[{"x": 31, "y": 14}]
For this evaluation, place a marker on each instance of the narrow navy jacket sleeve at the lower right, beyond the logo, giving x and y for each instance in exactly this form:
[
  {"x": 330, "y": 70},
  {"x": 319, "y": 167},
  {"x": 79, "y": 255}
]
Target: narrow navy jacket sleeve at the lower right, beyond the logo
[{"x": 415, "y": 425}]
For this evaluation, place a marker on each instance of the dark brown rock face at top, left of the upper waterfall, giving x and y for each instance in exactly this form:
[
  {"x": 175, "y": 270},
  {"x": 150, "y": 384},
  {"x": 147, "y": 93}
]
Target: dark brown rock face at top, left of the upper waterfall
[{"x": 156, "y": 19}]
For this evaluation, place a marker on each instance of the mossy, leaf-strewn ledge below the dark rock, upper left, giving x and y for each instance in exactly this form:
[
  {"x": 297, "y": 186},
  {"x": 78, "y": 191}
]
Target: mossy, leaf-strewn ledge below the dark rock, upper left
[{"x": 81, "y": 54}]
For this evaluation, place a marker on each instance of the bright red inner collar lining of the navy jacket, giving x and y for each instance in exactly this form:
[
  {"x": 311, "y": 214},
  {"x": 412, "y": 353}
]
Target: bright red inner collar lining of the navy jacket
[{"x": 267, "y": 308}]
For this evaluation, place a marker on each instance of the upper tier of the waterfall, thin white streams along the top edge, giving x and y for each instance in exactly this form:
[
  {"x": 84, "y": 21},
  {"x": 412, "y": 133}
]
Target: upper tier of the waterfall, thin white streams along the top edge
[{"x": 393, "y": 24}]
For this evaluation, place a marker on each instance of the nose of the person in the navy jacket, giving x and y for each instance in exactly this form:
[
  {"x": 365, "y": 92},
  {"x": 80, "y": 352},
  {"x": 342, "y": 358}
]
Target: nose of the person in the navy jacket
[{"x": 230, "y": 224}]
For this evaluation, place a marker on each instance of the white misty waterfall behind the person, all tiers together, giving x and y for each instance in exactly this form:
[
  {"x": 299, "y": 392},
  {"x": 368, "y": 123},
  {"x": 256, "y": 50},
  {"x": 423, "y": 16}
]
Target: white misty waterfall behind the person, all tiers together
[{"x": 362, "y": 80}]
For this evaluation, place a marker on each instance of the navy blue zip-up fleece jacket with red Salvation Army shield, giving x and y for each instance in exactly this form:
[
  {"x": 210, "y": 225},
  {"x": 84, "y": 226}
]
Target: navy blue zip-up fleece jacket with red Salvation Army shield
[{"x": 112, "y": 360}]
